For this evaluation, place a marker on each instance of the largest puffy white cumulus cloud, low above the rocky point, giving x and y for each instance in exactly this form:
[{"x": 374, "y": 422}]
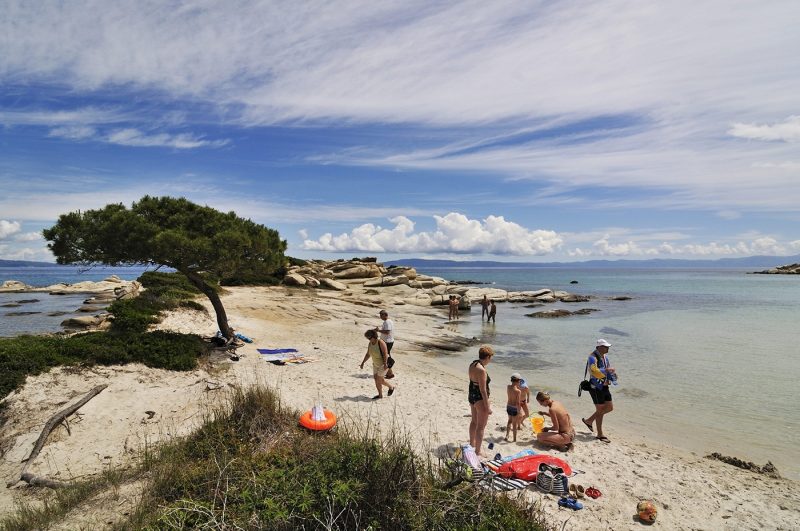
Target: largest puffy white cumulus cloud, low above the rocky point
[{"x": 455, "y": 233}]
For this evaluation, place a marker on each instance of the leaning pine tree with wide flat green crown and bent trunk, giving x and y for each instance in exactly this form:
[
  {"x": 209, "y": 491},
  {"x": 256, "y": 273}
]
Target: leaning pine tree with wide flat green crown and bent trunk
[{"x": 203, "y": 244}]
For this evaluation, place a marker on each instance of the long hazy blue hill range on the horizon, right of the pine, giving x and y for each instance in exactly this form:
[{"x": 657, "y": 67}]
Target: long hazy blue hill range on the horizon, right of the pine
[{"x": 655, "y": 263}]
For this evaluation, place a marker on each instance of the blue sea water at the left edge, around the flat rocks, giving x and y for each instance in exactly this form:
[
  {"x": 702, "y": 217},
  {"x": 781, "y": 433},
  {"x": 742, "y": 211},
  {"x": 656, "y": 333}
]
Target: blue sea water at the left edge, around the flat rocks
[{"x": 48, "y": 310}]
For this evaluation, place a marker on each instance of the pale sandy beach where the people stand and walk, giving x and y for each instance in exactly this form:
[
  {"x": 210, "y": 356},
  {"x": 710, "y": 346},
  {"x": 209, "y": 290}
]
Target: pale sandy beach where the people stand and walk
[{"x": 430, "y": 405}]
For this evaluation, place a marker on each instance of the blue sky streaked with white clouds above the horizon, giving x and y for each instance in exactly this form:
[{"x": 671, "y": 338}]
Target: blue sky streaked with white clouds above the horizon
[{"x": 518, "y": 131}]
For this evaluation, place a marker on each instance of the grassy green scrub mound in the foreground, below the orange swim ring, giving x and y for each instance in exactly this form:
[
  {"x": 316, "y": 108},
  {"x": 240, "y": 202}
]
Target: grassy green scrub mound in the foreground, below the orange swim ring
[{"x": 253, "y": 468}]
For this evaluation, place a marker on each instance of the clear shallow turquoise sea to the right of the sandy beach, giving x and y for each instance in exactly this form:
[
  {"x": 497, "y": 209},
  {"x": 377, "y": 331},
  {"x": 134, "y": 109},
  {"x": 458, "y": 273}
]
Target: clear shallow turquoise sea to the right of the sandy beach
[{"x": 706, "y": 358}]
